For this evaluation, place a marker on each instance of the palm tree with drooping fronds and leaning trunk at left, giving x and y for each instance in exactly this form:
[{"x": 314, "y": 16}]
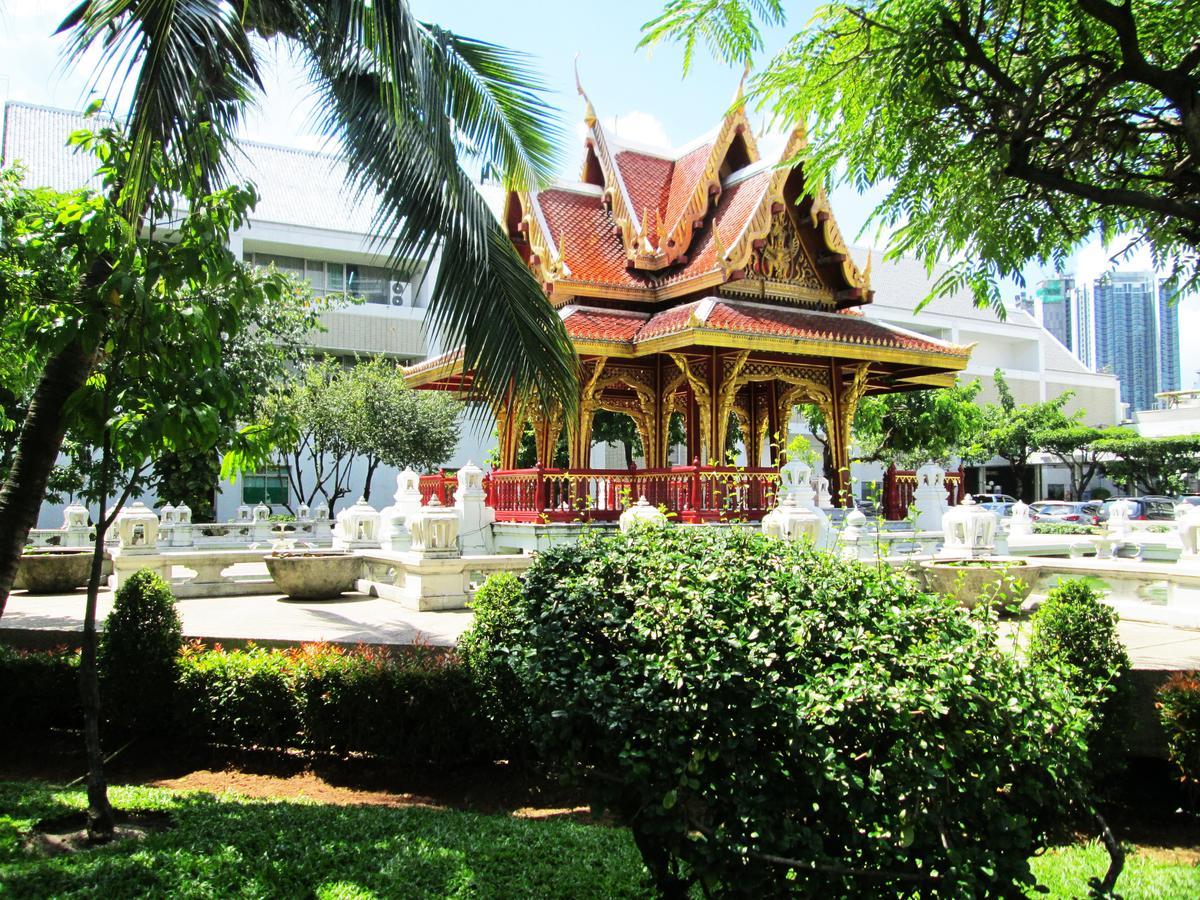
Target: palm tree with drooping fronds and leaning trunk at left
[{"x": 405, "y": 103}]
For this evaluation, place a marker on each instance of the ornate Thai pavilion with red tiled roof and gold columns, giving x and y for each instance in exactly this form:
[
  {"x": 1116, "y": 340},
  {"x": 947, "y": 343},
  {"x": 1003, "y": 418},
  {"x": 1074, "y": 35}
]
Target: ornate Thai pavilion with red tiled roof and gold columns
[{"x": 707, "y": 284}]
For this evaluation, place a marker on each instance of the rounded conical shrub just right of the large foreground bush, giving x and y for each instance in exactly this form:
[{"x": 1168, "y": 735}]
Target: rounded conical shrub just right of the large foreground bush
[{"x": 1077, "y": 633}]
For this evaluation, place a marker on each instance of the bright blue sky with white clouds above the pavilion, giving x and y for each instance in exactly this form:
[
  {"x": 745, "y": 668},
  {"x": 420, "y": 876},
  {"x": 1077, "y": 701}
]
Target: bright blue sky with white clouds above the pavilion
[{"x": 644, "y": 95}]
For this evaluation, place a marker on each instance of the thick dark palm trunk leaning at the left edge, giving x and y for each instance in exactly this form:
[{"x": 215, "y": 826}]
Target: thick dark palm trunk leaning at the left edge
[{"x": 38, "y": 449}]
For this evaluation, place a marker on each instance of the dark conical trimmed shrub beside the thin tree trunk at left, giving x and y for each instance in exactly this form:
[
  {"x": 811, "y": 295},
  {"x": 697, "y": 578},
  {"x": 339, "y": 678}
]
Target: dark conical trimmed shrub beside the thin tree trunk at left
[{"x": 139, "y": 655}]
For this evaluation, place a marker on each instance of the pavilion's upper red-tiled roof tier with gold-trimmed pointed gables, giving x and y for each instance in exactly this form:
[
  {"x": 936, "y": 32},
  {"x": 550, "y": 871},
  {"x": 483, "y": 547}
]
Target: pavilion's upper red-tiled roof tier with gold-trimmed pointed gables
[{"x": 652, "y": 225}]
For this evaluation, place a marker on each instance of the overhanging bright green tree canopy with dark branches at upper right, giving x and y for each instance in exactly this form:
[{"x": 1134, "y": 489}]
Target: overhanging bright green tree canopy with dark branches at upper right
[{"x": 1031, "y": 116}]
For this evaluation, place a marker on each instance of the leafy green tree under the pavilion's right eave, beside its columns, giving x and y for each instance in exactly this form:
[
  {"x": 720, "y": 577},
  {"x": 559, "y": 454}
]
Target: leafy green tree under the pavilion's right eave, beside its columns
[{"x": 914, "y": 428}]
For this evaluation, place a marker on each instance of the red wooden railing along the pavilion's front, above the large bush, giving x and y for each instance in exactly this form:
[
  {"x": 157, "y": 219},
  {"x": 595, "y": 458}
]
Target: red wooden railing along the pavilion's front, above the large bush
[{"x": 692, "y": 494}]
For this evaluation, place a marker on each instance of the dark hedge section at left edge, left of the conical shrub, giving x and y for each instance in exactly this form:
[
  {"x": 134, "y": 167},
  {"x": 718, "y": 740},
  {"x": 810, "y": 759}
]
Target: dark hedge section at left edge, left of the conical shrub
[{"x": 39, "y": 691}]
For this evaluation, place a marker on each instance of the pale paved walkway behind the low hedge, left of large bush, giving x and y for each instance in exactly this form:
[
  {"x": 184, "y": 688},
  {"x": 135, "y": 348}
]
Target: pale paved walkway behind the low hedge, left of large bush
[{"x": 271, "y": 620}]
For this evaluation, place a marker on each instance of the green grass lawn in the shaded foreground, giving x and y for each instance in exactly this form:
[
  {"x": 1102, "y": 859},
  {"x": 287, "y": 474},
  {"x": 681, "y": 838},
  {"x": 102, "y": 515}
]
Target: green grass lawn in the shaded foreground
[{"x": 225, "y": 847}]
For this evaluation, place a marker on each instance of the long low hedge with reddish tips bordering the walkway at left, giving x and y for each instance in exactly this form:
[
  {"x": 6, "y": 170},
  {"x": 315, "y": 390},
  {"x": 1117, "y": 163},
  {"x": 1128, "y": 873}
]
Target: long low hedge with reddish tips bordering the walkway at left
[{"x": 417, "y": 705}]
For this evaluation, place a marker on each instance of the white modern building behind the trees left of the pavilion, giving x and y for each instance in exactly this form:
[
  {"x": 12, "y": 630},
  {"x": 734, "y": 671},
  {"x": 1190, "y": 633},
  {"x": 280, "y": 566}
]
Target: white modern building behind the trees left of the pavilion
[{"x": 308, "y": 224}]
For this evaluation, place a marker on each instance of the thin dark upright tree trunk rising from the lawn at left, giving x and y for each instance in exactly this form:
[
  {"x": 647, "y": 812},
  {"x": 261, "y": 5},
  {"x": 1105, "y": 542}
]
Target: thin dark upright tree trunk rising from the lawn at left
[{"x": 101, "y": 824}]
